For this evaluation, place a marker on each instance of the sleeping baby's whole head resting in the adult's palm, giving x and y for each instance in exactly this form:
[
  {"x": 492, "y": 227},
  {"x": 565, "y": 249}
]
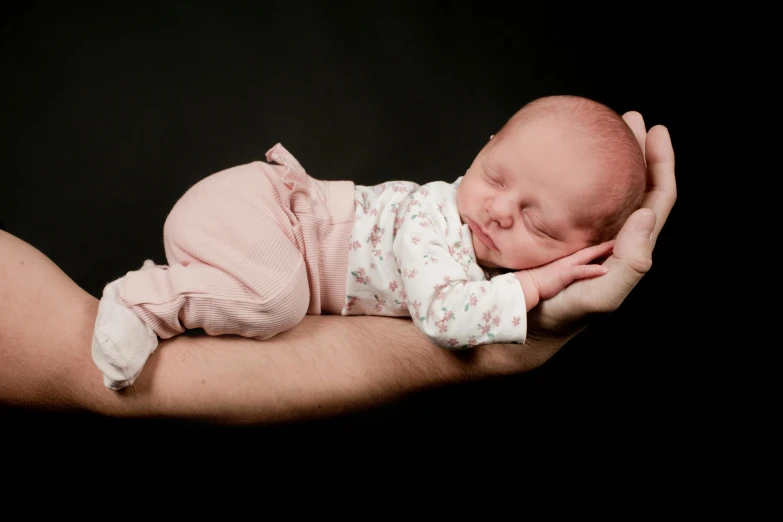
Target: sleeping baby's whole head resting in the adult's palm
[{"x": 564, "y": 173}]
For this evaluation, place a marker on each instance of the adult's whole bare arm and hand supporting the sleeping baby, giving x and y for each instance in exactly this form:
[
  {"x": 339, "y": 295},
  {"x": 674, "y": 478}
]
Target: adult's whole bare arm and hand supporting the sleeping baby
[{"x": 320, "y": 368}]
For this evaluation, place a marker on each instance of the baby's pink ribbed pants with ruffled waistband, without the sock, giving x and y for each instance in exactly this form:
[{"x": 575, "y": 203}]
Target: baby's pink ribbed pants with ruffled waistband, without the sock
[{"x": 250, "y": 251}]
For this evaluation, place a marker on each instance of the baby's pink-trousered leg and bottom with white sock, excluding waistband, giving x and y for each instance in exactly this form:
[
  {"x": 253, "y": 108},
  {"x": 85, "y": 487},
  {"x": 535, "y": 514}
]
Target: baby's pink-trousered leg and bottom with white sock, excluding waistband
[{"x": 235, "y": 268}]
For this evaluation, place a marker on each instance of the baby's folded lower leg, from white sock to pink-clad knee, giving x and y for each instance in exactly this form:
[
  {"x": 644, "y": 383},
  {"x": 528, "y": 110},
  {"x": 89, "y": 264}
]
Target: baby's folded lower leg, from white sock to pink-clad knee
[{"x": 160, "y": 301}]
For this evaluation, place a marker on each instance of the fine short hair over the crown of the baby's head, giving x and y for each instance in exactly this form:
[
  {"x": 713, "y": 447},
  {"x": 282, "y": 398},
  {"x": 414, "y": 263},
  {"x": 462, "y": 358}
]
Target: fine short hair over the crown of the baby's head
[{"x": 611, "y": 138}]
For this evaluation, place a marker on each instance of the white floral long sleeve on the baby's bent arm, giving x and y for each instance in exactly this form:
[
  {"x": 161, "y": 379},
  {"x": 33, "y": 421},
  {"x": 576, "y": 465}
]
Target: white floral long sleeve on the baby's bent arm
[{"x": 449, "y": 297}]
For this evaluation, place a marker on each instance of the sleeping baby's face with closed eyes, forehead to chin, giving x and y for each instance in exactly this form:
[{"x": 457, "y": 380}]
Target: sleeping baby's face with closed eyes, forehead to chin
[{"x": 525, "y": 193}]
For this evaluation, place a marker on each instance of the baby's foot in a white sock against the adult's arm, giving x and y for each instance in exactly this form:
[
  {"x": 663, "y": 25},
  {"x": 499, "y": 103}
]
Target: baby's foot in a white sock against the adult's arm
[{"x": 121, "y": 342}]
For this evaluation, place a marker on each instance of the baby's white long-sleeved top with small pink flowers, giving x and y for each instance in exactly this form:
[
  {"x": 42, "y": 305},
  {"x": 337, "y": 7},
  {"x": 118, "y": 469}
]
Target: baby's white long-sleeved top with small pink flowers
[{"x": 409, "y": 254}]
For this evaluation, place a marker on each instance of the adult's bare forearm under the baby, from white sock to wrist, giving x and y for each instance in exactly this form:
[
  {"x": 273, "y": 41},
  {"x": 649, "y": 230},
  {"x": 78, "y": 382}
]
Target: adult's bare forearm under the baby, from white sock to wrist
[{"x": 323, "y": 367}]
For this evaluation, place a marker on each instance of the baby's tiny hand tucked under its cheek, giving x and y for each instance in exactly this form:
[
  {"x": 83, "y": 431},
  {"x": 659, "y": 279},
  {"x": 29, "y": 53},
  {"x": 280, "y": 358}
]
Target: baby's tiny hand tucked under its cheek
[{"x": 544, "y": 282}]
